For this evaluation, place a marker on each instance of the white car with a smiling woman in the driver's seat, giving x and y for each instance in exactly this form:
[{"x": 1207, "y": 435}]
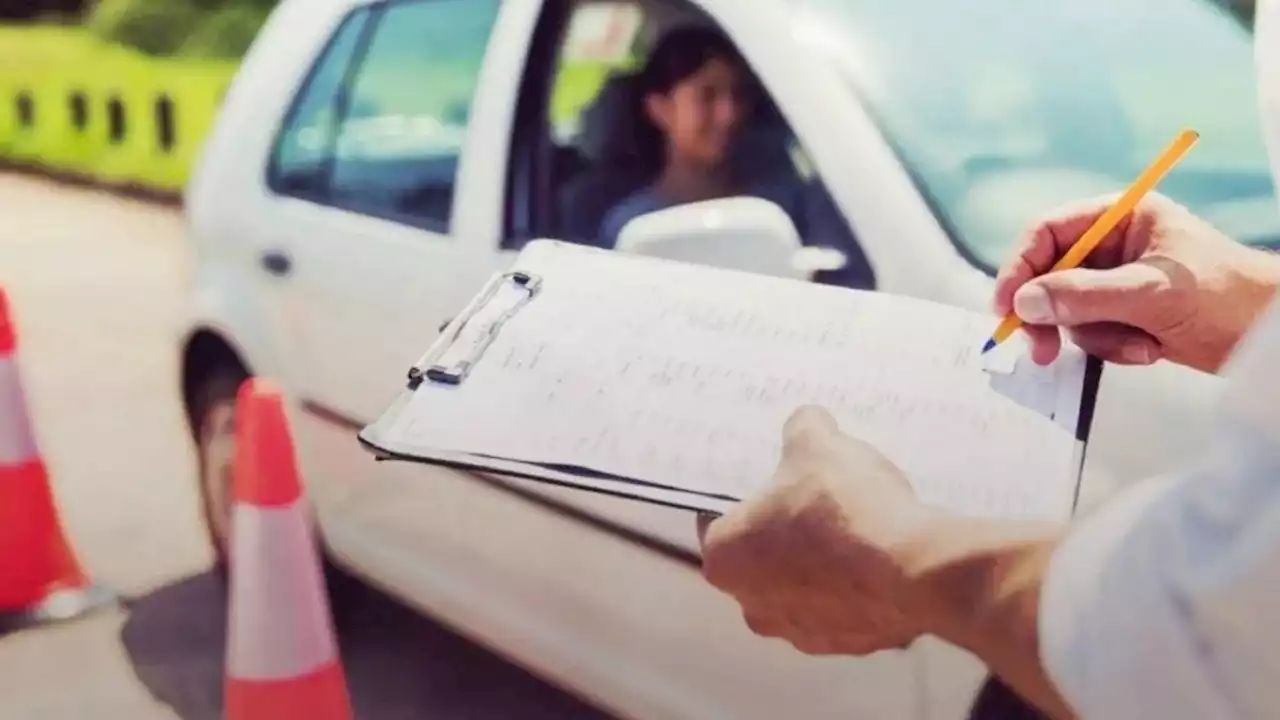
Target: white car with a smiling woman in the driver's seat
[{"x": 376, "y": 162}]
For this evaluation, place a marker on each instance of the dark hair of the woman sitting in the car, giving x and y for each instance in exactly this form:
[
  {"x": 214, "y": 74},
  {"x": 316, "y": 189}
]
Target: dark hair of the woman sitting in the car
[{"x": 678, "y": 56}]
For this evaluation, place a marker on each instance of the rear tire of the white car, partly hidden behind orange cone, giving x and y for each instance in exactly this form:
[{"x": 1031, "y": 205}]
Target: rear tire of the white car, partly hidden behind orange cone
[{"x": 213, "y": 413}]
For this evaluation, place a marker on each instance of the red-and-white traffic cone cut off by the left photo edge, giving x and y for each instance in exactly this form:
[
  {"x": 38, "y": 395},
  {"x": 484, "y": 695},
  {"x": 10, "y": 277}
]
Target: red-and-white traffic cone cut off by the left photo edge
[{"x": 40, "y": 578}]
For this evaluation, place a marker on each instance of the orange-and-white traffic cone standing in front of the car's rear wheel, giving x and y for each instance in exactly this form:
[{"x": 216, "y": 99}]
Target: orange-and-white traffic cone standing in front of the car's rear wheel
[{"x": 282, "y": 657}]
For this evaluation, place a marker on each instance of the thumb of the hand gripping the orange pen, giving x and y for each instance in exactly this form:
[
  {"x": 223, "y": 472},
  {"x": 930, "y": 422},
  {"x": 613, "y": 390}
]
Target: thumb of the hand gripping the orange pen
[{"x": 1080, "y": 297}]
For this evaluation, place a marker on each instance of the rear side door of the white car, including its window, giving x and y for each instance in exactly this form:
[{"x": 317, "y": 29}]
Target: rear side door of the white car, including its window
[{"x": 367, "y": 215}]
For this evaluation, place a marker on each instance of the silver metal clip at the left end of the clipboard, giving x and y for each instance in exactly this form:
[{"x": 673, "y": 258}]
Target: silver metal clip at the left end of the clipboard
[{"x": 454, "y": 373}]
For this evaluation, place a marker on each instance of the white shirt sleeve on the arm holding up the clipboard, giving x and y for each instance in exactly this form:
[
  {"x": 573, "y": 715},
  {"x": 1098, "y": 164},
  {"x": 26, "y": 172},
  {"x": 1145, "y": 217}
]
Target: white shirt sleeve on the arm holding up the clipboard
[{"x": 1165, "y": 601}]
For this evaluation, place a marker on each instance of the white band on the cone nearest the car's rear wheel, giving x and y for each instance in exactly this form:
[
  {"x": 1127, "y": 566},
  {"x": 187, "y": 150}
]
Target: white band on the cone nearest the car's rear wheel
[{"x": 281, "y": 626}]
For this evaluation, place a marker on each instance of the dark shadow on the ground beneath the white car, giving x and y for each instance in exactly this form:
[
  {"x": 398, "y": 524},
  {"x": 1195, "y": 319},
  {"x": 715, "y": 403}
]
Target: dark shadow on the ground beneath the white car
[{"x": 400, "y": 666}]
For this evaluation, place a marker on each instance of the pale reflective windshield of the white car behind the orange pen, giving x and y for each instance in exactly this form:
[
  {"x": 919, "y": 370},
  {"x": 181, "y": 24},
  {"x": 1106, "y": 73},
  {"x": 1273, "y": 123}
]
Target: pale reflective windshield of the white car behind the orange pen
[{"x": 1003, "y": 110}]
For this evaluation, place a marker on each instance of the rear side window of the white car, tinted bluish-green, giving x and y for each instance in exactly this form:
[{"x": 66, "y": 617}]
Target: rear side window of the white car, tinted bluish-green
[{"x": 395, "y": 148}]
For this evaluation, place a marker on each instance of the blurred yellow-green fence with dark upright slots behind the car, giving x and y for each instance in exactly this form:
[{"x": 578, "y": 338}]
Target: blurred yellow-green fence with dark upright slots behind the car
[{"x": 71, "y": 103}]
